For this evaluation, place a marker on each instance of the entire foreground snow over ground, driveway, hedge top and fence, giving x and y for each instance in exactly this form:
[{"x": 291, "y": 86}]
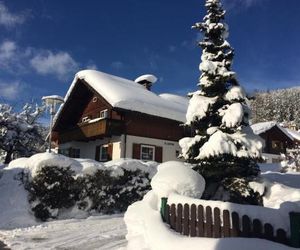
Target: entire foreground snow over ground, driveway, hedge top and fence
[{"x": 20, "y": 230}]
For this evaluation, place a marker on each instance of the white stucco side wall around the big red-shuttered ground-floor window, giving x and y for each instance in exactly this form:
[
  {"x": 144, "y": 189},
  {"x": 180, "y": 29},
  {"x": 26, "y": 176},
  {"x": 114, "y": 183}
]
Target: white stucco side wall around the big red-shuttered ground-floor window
[{"x": 169, "y": 147}]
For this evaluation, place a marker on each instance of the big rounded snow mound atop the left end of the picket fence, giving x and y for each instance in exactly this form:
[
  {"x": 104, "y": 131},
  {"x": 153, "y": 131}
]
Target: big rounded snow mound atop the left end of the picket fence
[{"x": 177, "y": 177}]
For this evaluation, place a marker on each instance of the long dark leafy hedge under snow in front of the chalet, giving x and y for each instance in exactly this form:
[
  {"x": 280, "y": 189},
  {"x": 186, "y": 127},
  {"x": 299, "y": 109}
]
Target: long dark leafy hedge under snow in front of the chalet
[{"x": 53, "y": 188}]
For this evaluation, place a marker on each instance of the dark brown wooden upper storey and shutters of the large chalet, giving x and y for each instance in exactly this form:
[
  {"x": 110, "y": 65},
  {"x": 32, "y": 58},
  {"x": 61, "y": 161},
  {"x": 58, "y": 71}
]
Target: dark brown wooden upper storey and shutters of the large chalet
[{"x": 80, "y": 120}]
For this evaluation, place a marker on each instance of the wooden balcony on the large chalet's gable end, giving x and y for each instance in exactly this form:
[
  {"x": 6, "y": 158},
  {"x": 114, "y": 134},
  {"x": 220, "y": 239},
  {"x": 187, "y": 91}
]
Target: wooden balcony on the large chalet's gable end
[{"x": 94, "y": 130}]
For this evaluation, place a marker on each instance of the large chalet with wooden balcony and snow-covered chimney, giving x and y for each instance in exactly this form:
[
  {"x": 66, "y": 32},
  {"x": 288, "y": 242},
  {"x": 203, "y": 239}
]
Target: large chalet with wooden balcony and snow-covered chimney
[{"x": 106, "y": 117}]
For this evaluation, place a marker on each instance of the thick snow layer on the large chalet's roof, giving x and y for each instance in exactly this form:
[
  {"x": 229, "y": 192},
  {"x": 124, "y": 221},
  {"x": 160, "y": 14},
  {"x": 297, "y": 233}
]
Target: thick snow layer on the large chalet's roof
[{"x": 128, "y": 95}]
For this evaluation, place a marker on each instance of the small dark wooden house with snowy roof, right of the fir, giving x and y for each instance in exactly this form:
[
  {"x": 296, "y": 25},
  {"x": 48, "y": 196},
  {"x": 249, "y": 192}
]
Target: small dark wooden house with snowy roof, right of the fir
[{"x": 277, "y": 139}]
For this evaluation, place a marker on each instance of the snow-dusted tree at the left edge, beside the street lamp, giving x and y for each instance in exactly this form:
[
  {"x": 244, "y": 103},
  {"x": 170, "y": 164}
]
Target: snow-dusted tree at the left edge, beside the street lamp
[{"x": 20, "y": 133}]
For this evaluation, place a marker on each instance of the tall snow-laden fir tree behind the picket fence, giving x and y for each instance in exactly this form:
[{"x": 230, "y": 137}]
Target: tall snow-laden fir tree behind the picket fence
[{"x": 222, "y": 146}]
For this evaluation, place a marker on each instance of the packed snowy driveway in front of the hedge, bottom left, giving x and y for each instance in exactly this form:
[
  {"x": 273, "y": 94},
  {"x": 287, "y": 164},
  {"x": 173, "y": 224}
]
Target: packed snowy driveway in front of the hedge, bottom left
[{"x": 97, "y": 232}]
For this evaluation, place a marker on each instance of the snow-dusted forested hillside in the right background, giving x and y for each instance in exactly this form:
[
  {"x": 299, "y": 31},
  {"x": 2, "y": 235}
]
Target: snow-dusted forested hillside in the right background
[{"x": 279, "y": 105}]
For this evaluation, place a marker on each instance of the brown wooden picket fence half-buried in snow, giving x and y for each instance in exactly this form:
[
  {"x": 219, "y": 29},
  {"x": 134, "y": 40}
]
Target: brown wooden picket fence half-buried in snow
[{"x": 198, "y": 221}]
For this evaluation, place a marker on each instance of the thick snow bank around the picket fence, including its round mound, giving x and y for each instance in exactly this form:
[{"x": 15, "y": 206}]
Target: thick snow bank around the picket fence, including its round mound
[{"x": 147, "y": 231}]
